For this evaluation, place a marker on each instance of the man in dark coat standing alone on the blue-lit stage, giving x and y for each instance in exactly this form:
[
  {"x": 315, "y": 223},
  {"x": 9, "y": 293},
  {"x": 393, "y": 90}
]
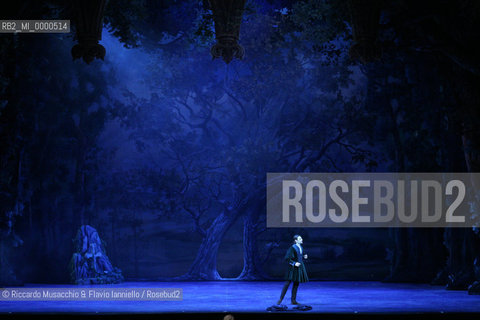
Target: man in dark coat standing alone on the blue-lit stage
[{"x": 296, "y": 270}]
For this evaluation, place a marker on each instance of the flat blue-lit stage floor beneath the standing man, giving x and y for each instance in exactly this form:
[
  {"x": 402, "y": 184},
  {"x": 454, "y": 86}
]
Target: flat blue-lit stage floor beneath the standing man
[{"x": 241, "y": 296}]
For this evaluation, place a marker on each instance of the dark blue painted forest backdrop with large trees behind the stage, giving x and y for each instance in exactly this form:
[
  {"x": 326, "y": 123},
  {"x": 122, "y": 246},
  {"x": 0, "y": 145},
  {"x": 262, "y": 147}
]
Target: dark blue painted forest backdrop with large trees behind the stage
[{"x": 155, "y": 122}]
